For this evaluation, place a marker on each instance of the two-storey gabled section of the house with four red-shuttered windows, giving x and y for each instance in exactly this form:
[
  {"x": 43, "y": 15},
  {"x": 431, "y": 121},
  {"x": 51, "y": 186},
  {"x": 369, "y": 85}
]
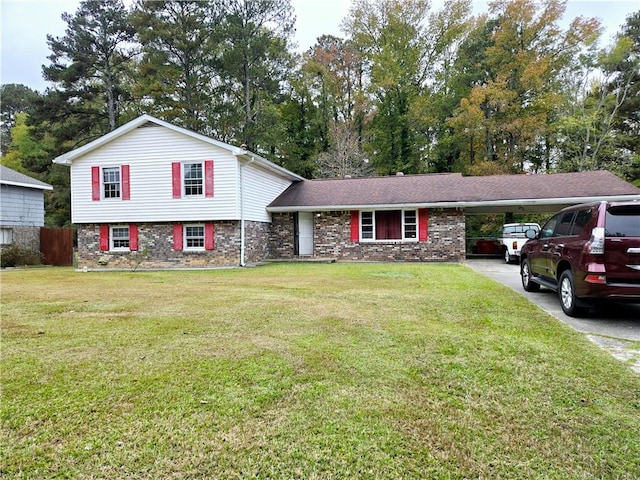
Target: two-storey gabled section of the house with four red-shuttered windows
[{"x": 172, "y": 196}]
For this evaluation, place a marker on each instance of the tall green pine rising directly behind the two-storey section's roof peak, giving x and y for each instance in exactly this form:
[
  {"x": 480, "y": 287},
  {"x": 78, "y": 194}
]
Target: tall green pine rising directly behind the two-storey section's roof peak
[{"x": 178, "y": 72}]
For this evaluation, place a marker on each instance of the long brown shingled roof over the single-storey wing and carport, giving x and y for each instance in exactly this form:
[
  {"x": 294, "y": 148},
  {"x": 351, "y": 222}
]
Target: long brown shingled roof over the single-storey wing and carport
[{"x": 447, "y": 188}]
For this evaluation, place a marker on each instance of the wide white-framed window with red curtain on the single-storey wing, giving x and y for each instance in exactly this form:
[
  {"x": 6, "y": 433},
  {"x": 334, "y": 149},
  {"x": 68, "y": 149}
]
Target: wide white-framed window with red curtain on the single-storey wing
[{"x": 385, "y": 225}]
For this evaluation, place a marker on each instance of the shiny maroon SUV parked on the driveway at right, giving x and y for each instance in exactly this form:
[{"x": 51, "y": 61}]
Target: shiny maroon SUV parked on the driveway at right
[{"x": 586, "y": 253}]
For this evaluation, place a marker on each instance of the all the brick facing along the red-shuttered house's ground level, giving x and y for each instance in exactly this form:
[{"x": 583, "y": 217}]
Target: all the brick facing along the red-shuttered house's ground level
[{"x": 332, "y": 239}]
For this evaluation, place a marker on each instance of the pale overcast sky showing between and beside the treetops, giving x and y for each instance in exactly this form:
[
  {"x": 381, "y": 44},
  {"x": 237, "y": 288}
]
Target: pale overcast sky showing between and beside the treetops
[{"x": 25, "y": 24}]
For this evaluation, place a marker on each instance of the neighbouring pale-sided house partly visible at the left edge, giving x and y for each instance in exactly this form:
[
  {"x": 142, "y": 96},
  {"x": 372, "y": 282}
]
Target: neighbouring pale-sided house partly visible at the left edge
[{"x": 21, "y": 209}]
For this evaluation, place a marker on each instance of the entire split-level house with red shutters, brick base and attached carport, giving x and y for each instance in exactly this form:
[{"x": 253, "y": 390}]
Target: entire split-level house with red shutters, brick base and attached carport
[{"x": 154, "y": 191}]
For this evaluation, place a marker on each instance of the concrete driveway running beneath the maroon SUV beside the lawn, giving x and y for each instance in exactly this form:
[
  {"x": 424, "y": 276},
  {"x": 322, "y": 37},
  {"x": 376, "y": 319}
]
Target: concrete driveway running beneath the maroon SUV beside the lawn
[{"x": 614, "y": 327}]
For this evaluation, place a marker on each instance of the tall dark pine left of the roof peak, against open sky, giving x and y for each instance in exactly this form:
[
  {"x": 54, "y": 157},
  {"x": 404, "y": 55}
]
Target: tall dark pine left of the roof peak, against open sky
[{"x": 88, "y": 66}]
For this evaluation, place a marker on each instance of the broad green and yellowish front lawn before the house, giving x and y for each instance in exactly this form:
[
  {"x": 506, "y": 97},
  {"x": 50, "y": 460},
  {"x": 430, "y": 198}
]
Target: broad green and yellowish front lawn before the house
[{"x": 303, "y": 371}]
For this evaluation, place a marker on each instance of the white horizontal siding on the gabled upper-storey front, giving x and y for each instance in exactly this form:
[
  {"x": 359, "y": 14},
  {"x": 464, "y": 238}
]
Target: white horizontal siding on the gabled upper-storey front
[{"x": 150, "y": 152}]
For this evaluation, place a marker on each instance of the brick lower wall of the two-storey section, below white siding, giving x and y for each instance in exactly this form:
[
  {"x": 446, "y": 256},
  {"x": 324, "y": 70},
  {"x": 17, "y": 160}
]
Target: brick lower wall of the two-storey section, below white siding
[{"x": 155, "y": 242}]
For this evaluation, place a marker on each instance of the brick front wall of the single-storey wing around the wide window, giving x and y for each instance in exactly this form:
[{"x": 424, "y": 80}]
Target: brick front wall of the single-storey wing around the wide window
[{"x": 332, "y": 239}]
